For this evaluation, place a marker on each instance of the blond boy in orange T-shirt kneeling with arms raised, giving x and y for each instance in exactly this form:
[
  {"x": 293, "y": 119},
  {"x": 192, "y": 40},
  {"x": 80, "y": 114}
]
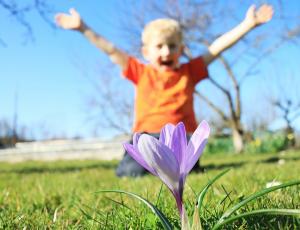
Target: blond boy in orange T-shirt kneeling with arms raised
[{"x": 164, "y": 88}]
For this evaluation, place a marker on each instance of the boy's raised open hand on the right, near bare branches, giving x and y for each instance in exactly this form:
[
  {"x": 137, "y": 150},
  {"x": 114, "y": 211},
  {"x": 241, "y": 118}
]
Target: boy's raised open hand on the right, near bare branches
[{"x": 262, "y": 15}]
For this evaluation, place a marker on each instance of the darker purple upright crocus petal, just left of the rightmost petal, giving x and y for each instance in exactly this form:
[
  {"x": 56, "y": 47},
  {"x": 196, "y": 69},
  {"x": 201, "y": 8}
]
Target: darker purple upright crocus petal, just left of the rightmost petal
[{"x": 179, "y": 143}]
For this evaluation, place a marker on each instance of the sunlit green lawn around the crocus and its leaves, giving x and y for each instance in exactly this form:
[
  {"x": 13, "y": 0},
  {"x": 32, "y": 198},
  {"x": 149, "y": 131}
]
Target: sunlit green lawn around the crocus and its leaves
[{"x": 54, "y": 195}]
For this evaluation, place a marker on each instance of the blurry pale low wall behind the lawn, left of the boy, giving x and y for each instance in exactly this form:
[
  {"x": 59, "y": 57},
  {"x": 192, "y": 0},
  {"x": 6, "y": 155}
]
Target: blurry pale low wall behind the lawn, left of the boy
[{"x": 65, "y": 150}]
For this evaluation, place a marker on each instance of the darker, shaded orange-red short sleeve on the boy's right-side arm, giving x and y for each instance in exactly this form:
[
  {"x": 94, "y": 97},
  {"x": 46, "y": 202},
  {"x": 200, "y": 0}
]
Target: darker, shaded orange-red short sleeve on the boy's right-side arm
[{"x": 197, "y": 69}]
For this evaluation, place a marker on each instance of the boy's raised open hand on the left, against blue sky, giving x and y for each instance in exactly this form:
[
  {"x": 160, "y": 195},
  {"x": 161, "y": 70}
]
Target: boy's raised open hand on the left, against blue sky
[{"x": 70, "y": 21}]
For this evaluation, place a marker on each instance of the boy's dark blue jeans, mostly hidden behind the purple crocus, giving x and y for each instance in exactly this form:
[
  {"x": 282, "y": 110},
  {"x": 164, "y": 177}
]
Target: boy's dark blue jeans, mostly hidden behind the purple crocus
[{"x": 128, "y": 167}]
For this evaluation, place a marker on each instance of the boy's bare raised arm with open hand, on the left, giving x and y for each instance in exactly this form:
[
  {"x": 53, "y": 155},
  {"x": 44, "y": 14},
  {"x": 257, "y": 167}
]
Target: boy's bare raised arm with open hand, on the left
[{"x": 73, "y": 21}]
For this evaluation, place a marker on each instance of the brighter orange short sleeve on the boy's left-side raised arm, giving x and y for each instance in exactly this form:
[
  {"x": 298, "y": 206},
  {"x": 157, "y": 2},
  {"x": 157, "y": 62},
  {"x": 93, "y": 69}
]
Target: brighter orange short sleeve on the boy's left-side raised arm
[{"x": 133, "y": 70}]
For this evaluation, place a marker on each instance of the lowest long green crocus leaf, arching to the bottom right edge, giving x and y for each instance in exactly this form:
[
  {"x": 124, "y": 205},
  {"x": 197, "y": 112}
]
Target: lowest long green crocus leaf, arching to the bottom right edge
[{"x": 281, "y": 212}]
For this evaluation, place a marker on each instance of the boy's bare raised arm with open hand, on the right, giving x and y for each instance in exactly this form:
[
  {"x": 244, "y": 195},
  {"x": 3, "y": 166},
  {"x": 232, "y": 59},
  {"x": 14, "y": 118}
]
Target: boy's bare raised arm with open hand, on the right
[{"x": 253, "y": 18}]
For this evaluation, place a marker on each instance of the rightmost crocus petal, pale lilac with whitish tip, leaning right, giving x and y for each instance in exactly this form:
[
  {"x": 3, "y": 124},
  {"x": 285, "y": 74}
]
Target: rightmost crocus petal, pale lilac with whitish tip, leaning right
[{"x": 196, "y": 146}]
